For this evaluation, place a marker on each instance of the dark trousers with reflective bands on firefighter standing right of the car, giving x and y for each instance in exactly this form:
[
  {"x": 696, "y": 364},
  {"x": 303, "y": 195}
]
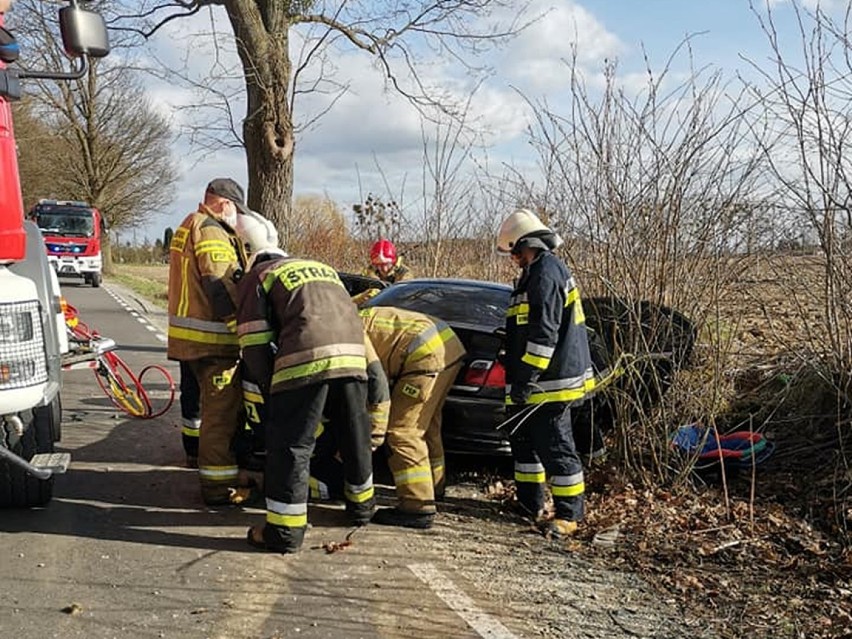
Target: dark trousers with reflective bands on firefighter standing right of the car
[{"x": 543, "y": 447}]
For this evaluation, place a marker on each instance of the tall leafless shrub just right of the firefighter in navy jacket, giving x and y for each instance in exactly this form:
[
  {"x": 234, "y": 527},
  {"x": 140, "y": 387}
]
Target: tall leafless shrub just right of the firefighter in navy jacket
[{"x": 653, "y": 190}]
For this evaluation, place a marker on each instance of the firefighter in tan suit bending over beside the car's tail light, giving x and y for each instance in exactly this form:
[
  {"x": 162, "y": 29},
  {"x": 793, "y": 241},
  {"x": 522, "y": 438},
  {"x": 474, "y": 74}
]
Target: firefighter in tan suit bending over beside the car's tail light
[{"x": 421, "y": 357}]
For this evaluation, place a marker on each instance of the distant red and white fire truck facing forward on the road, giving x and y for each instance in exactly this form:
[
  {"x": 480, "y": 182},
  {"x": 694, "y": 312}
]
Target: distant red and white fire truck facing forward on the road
[{"x": 72, "y": 235}]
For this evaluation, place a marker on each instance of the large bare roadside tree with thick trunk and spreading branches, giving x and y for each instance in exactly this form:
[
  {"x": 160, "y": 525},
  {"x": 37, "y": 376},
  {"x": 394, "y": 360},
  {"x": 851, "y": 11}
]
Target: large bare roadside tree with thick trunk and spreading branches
[{"x": 397, "y": 34}]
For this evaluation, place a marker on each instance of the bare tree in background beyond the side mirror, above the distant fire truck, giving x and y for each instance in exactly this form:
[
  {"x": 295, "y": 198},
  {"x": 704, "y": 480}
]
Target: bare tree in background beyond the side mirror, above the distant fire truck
[{"x": 111, "y": 148}]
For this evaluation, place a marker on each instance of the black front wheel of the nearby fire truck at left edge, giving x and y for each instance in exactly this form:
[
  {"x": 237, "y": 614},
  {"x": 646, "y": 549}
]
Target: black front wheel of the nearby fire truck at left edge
[{"x": 19, "y": 489}]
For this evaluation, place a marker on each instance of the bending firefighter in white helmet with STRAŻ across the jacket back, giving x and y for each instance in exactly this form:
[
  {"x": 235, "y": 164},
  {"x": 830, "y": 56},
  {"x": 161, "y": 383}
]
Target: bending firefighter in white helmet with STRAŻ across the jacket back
[{"x": 303, "y": 345}]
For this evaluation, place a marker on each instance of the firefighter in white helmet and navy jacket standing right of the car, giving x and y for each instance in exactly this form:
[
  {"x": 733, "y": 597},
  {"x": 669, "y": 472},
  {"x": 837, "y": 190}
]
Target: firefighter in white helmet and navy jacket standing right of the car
[{"x": 548, "y": 369}]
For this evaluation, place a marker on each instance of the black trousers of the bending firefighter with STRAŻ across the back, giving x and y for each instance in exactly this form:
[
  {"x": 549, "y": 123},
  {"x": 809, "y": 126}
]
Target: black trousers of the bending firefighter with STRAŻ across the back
[{"x": 291, "y": 425}]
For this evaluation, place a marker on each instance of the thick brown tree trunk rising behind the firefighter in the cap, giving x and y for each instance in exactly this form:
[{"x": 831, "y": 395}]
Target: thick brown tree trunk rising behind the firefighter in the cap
[{"x": 262, "y": 31}]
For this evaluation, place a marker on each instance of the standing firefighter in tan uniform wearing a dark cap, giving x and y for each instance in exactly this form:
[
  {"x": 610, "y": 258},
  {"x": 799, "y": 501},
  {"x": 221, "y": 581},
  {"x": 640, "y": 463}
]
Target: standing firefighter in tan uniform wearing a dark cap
[{"x": 206, "y": 259}]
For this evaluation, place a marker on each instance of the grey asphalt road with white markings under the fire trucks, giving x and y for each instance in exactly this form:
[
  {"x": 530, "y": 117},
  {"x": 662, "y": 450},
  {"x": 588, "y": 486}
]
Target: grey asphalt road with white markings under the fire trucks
[{"x": 127, "y": 549}]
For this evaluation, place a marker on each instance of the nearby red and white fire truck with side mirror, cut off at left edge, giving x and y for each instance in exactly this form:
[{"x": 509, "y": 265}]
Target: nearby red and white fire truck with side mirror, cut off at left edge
[{"x": 32, "y": 325}]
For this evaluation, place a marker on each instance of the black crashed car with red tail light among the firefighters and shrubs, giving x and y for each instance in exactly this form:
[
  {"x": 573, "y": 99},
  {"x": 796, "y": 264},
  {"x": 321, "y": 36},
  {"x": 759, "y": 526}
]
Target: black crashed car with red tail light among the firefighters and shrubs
[{"x": 476, "y": 311}]
